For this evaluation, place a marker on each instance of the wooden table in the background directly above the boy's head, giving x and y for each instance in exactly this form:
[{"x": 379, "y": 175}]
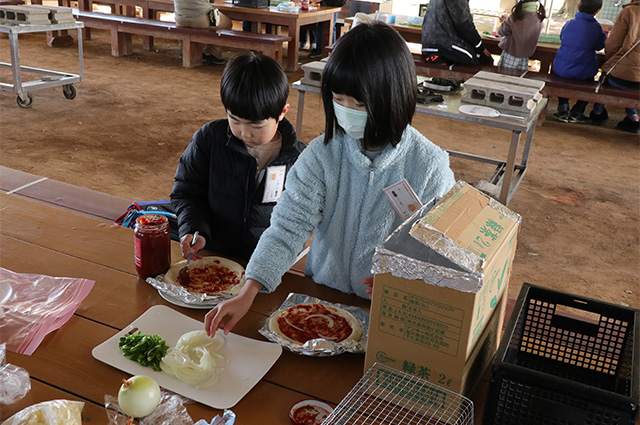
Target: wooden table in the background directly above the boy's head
[{"x": 293, "y": 21}]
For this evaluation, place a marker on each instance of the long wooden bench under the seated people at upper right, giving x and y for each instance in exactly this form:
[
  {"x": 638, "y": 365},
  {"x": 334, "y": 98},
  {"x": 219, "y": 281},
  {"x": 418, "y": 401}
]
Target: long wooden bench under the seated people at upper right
[{"x": 554, "y": 86}]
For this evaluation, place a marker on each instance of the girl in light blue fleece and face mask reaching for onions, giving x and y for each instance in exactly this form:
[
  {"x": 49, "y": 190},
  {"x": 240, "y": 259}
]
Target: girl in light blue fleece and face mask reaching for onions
[{"x": 369, "y": 91}]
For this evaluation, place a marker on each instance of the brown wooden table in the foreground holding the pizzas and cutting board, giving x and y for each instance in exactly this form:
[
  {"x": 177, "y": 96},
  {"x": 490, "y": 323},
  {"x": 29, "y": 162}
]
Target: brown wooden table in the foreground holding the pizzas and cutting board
[{"x": 42, "y": 239}]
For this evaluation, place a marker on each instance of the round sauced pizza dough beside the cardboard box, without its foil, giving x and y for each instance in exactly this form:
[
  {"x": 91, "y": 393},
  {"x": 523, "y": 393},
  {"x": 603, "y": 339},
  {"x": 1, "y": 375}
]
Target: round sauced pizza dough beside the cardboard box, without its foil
[{"x": 303, "y": 322}]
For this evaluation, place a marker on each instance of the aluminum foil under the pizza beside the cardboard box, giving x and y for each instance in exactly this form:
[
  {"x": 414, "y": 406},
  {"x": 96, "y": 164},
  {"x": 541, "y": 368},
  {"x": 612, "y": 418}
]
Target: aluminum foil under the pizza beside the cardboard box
[{"x": 321, "y": 347}]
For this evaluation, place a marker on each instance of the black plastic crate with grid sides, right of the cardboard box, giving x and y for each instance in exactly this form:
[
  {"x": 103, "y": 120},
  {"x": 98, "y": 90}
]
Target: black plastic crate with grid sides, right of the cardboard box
[{"x": 566, "y": 360}]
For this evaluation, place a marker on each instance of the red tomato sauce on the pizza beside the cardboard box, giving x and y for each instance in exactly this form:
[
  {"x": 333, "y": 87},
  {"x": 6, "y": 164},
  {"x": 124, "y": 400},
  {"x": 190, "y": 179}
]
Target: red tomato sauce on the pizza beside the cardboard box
[{"x": 302, "y": 323}]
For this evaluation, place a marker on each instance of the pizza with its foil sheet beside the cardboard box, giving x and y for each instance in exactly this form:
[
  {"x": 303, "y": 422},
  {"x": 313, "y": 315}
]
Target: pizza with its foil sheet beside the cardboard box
[{"x": 313, "y": 327}]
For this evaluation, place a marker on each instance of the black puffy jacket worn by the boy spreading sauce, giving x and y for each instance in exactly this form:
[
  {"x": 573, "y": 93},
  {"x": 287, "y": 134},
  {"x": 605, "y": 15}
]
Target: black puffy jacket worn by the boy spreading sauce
[{"x": 215, "y": 190}]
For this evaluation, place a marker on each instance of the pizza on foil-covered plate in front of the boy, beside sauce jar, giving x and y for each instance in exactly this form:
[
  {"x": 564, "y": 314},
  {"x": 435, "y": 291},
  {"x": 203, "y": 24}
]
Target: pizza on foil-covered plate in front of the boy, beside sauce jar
[{"x": 206, "y": 282}]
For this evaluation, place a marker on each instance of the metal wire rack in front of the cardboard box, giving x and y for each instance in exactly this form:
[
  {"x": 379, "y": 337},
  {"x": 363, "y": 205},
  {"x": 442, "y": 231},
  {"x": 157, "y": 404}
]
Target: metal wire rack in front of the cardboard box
[{"x": 386, "y": 396}]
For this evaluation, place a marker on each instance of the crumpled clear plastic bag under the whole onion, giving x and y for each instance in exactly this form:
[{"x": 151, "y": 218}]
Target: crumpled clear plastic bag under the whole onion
[{"x": 170, "y": 411}]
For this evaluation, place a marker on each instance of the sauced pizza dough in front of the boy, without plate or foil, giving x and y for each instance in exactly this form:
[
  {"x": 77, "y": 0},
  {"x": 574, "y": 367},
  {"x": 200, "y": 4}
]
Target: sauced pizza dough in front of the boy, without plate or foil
[{"x": 209, "y": 275}]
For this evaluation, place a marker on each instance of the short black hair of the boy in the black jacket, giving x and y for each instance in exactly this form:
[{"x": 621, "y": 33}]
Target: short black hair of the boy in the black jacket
[{"x": 254, "y": 87}]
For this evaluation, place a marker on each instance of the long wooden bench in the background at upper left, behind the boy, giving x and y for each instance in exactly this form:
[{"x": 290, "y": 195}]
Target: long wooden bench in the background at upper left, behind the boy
[{"x": 193, "y": 39}]
